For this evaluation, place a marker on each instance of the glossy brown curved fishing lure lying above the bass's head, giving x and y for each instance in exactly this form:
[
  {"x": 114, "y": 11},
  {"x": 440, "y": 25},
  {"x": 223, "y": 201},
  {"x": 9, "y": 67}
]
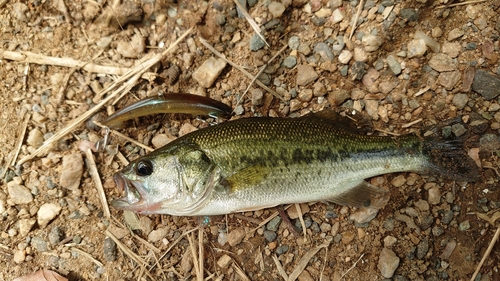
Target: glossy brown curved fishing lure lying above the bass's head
[{"x": 169, "y": 103}]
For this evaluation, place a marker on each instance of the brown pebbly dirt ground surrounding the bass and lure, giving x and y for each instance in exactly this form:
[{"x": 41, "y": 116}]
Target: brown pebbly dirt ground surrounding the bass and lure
[{"x": 429, "y": 230}]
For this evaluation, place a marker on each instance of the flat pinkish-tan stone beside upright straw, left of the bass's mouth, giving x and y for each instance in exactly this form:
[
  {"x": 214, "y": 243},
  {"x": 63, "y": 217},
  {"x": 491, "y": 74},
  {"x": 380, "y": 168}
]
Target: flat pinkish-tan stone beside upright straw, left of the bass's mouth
[{"x": 72, "y": 171}]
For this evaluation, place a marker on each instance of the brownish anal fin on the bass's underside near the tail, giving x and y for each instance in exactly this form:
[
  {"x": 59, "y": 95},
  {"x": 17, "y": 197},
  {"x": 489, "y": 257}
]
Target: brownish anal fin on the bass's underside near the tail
[{"x": 363, "y": 195}]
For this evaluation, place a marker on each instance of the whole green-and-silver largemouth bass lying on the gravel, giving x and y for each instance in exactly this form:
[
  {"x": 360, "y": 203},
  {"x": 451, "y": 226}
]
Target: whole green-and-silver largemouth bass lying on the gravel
[{"x": 255, "y": 163}]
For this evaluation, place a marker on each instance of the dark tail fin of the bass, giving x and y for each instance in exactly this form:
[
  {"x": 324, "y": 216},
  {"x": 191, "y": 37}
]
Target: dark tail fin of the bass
[{"x": 447, "y": 155}]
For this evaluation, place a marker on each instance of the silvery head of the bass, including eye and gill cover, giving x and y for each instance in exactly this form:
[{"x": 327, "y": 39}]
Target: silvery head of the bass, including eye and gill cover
[{"x": 175, "y": 182}]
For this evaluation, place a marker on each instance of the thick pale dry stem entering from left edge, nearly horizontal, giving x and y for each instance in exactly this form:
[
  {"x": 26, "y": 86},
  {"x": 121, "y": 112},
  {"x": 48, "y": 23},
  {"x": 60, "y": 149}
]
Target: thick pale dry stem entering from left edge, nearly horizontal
[{"x": 29, "y": 57}]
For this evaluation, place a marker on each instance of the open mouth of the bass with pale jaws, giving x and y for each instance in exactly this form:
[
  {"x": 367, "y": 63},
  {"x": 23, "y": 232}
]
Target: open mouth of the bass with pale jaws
[{"x": 134, "y": 194}]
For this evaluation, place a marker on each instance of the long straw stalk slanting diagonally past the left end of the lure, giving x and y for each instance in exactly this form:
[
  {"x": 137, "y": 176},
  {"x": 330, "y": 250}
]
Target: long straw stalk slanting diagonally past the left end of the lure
[{"x": 132, "y": 76}]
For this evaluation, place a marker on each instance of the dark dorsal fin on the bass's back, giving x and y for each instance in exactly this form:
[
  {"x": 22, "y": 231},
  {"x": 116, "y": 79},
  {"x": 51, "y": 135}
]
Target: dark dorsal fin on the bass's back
[{"x": 348, "y": 119}]
